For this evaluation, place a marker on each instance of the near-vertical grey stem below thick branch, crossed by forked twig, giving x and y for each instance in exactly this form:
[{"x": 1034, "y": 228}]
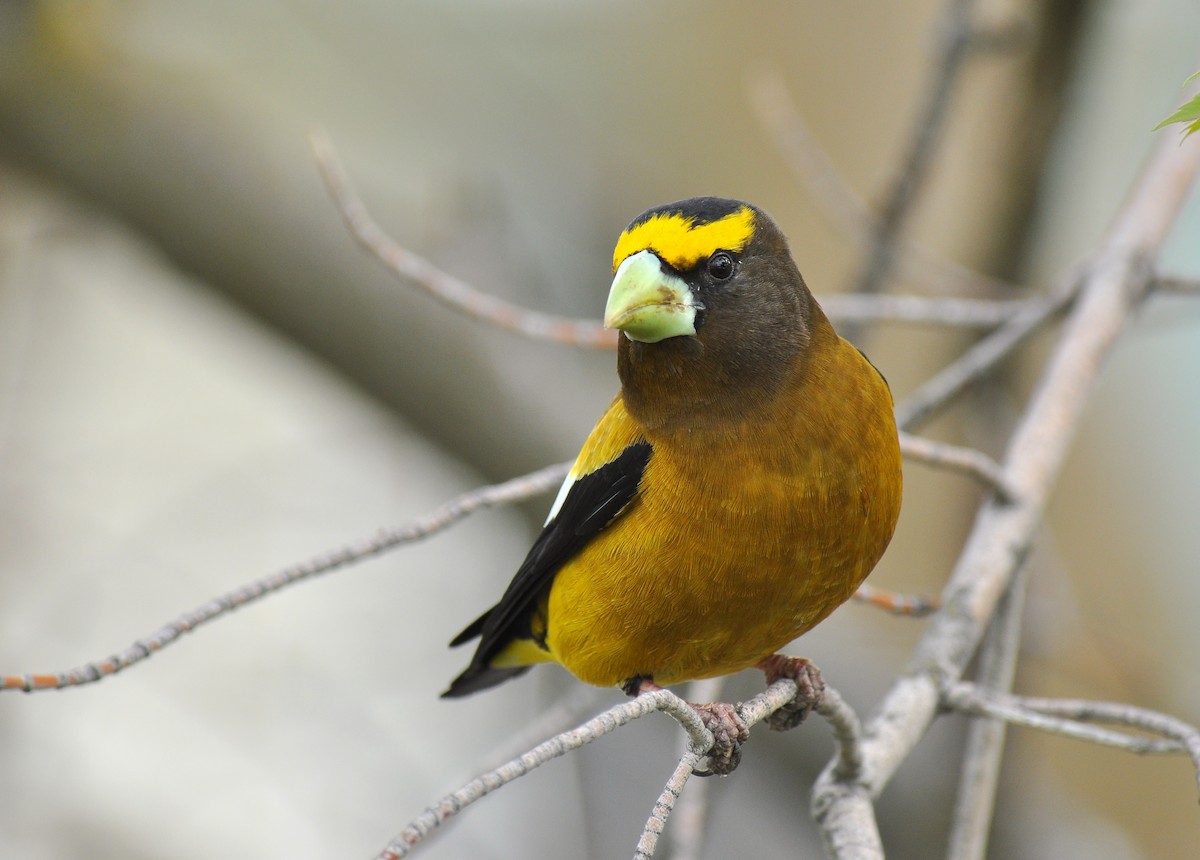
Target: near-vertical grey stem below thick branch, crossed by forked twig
[{"x": 976, "y": 801}]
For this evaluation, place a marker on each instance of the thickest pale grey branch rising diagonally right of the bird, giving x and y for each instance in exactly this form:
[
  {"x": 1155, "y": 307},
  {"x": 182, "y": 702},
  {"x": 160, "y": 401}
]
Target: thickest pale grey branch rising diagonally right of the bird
[{"x": 1003, "y": 533}]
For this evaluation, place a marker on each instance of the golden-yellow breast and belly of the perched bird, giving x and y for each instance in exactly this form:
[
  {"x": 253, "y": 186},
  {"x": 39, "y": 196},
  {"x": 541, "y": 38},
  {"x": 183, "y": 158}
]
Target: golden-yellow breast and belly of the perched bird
[{"x": 737, "y": 543}]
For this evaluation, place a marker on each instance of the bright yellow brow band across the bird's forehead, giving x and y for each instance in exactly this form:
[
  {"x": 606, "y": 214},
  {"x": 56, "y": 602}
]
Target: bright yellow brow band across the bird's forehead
[{"x": 682, "y": 243}]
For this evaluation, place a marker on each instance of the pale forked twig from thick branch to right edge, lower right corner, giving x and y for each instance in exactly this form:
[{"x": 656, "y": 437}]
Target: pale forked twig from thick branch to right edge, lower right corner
[{"x": 1070, "y": 718}]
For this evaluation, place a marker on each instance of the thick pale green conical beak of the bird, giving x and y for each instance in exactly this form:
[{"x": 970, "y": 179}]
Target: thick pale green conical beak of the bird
[{"x": 649, "y": 304}]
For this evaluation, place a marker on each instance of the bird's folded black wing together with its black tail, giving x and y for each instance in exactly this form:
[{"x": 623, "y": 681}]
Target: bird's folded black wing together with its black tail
[{"x": 592, "y": 504}]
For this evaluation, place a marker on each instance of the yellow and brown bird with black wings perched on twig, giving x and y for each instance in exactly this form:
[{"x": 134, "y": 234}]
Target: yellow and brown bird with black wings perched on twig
[{"x": 739, "y": 489}]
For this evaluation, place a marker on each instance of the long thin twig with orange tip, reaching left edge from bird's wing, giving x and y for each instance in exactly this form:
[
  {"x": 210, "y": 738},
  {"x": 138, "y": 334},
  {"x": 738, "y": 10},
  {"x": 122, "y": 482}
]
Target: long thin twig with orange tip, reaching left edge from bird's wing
[{"x": 508, "y": 492}]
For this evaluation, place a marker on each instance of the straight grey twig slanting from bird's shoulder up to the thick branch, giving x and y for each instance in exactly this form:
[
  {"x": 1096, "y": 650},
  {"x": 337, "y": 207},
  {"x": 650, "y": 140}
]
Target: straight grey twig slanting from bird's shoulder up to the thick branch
[{"x": 938, "y": 392}]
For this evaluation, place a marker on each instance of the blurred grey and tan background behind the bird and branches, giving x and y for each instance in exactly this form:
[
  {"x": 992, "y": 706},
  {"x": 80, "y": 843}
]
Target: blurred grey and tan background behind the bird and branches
[{"x": 203, "y": 380}]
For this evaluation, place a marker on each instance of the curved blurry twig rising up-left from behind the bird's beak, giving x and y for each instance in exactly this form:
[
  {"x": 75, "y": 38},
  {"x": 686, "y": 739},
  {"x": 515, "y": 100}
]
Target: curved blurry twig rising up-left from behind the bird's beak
[{"x": 442, "y": 286}]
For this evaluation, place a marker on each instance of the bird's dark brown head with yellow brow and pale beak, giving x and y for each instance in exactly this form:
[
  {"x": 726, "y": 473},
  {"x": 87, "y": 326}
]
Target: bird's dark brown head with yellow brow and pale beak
[{"x": 713, "y": 311}]
